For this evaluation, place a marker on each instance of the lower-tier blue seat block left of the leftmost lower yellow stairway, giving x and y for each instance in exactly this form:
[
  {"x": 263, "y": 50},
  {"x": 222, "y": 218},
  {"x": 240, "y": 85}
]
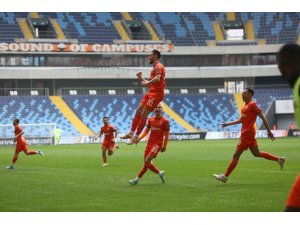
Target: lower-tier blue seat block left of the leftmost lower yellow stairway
[{"x": 34, "y": 110}]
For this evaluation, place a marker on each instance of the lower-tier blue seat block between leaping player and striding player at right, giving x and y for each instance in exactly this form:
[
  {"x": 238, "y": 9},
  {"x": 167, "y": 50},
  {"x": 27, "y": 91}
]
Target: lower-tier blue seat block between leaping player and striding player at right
[{"x": 206, "y": 112}]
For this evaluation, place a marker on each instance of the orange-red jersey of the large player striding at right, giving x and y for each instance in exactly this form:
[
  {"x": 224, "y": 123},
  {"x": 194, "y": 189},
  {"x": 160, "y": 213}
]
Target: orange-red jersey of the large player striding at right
[{"x": 249, "y": 114}]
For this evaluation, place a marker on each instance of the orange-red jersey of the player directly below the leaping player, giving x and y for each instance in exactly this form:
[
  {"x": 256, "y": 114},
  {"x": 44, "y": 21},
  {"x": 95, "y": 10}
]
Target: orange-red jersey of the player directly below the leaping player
[{"x": 158, "y": 128}]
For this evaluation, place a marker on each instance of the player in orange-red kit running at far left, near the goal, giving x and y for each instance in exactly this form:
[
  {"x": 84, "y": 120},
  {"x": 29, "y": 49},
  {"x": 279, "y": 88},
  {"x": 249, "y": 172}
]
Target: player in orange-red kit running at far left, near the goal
[{"x": 21, "y": 145}]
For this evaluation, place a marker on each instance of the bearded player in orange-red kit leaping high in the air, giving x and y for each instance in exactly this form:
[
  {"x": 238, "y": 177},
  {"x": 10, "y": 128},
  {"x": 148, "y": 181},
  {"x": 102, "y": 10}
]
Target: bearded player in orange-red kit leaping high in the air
[{"x": 151, "y": 99}]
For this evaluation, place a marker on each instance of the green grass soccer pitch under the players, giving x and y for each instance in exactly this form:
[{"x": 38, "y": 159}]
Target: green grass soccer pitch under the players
[{"x": 71, "y": 178}]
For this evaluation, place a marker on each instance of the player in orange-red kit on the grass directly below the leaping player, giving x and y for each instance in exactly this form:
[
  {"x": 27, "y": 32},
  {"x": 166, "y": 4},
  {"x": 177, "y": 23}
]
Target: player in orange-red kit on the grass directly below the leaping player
[{"x": 157, "y": 142}]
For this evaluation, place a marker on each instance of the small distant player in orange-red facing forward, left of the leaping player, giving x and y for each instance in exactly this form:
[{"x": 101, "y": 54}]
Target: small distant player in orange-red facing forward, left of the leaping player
[{"x": 109, "y": 143}]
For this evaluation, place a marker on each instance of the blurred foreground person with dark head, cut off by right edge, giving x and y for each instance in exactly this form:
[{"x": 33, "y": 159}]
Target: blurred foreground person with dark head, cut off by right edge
[{"x": 289, "y": 66}]
